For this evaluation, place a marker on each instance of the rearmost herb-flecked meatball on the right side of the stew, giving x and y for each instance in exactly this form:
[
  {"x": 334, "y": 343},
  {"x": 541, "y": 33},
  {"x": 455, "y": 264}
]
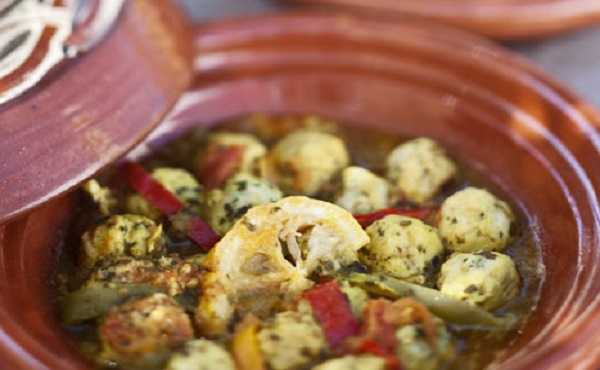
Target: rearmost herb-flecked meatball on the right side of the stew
[{"x": 418, "y": 169}]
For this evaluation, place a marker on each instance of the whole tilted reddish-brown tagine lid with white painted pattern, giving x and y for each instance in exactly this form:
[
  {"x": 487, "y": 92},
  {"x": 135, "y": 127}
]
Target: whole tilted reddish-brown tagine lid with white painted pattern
[{"x": 81, "y": 82}]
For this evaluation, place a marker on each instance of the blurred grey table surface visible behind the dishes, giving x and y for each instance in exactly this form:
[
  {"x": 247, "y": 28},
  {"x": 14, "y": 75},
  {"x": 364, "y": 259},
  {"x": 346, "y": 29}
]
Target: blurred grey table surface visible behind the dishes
[{"x": 573, "y": 58}]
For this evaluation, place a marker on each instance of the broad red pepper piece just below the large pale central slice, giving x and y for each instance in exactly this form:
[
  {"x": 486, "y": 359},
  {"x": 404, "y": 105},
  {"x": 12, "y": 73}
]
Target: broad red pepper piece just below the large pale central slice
[{"x": 332, "y": 309}]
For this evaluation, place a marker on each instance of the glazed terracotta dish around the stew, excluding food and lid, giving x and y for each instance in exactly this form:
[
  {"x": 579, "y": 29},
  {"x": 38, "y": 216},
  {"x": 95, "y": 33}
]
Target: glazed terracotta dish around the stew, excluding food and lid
[{"x": 531, "y": 138}]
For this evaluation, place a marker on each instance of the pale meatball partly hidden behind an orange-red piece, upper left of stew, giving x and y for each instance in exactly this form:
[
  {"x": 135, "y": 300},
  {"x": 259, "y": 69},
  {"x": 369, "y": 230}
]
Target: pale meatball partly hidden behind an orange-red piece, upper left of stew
[{"x": 254, "y": 150}]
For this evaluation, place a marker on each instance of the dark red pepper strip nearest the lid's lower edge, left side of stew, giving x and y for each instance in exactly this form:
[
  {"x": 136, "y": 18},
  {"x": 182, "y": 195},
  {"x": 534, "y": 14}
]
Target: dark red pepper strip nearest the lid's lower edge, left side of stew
[{"x": 150, "y": 189}]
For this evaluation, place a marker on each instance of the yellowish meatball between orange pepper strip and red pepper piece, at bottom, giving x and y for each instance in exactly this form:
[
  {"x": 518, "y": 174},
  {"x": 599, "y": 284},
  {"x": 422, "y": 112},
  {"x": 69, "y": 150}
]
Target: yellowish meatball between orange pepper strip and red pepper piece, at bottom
[{"x": 292, "y": 340}]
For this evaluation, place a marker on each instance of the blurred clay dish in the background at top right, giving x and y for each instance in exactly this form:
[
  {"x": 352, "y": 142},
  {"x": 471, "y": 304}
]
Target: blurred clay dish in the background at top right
[{"x": 501, "y": 19}]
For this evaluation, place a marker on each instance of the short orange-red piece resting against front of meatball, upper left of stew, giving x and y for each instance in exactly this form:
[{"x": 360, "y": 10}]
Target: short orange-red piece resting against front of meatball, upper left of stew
[{"x": 218, "y": 164}]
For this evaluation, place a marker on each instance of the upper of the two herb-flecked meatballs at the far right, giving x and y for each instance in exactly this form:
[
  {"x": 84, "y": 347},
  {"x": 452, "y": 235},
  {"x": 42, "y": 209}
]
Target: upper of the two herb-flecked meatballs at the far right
[{"x": 473, "y": 220}]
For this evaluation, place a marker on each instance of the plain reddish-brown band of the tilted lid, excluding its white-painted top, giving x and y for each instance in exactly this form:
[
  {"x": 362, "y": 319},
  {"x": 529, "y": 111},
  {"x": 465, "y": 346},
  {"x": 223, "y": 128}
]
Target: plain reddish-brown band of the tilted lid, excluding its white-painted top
[{"x": 90, "y": 110}]
